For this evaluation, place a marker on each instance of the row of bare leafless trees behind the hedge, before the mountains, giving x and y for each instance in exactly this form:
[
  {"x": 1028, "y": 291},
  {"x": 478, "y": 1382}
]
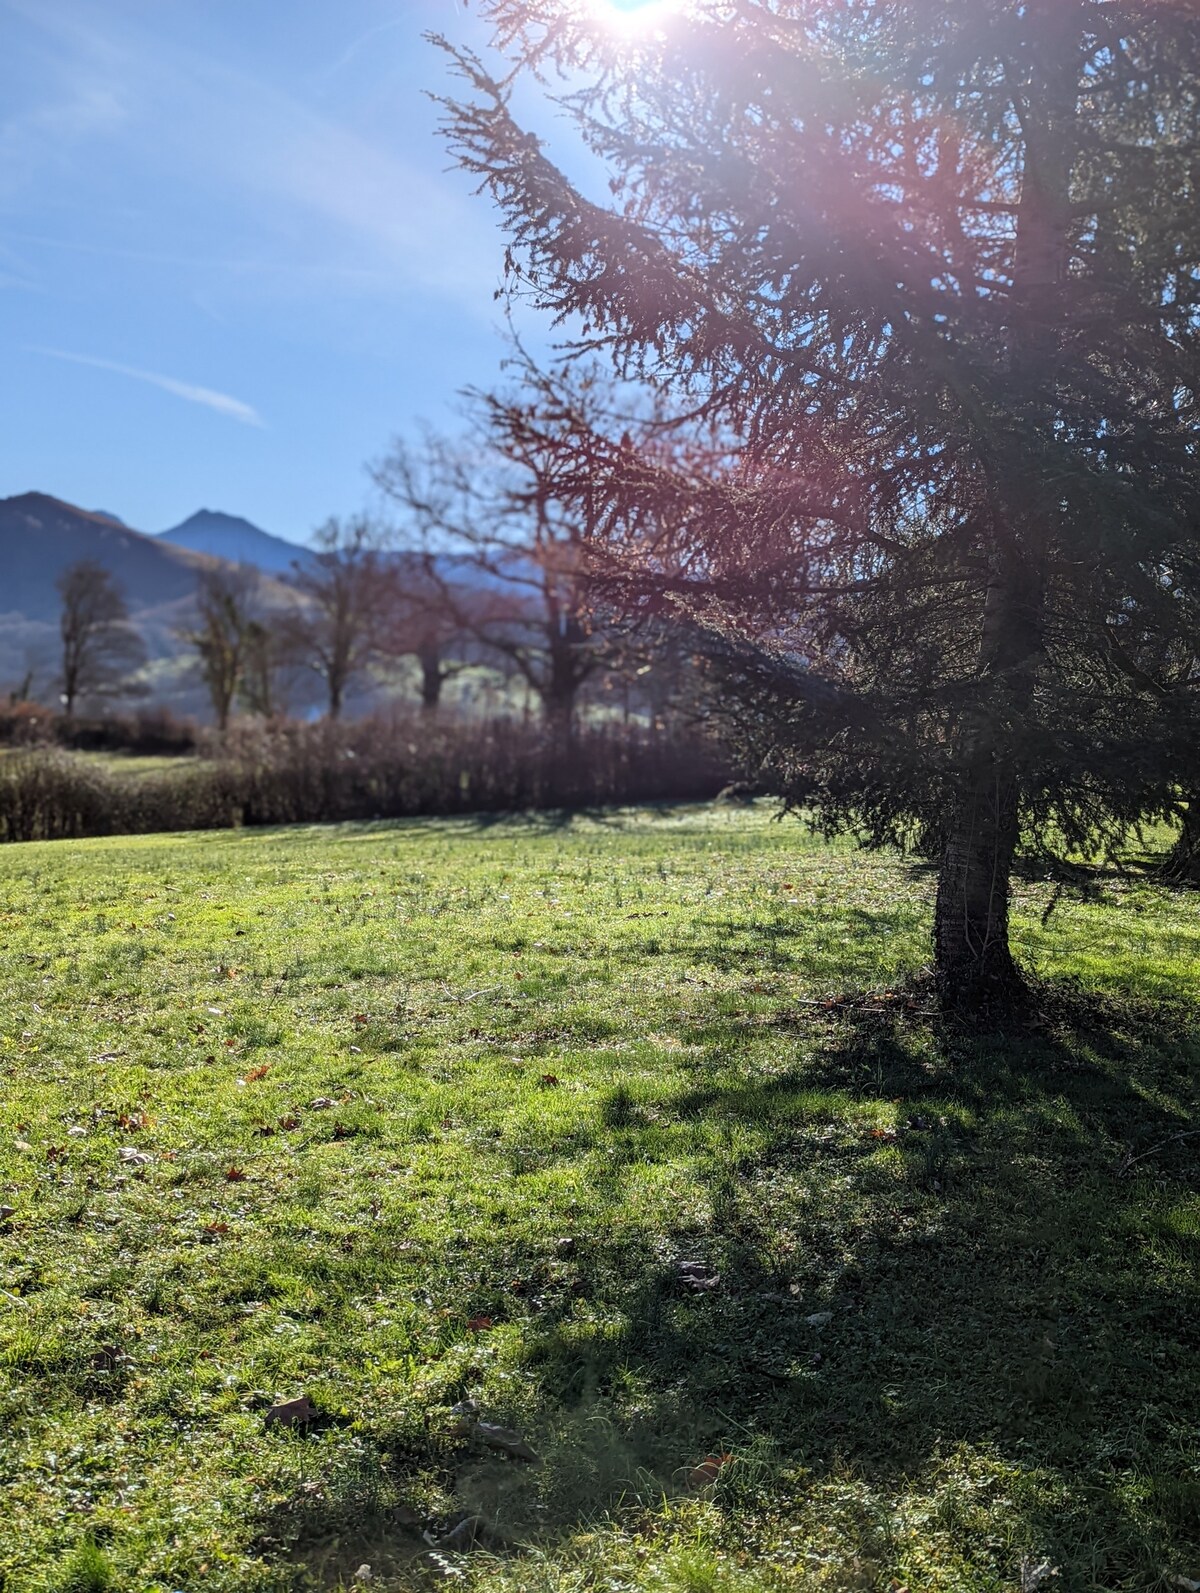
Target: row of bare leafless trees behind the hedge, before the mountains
[{"x": 466, "y": 569}]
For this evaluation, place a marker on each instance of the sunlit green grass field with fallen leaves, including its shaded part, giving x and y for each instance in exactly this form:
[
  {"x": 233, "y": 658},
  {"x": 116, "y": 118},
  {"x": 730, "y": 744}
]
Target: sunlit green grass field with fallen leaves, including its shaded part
[{"x": 559, "y": 1119}]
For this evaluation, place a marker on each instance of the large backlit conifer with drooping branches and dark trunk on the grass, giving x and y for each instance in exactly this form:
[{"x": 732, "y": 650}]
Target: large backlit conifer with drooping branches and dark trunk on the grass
[{"x": 933, "y": 270}]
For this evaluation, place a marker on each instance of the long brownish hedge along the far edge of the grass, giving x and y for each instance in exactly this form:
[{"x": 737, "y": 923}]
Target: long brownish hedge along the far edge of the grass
[{"x": 371, "y": 770}]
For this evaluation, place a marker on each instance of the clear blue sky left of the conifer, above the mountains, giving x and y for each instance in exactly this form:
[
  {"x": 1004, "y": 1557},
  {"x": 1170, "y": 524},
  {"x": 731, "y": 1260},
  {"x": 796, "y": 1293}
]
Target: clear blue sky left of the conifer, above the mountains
[{"x": 232, "y": 259}]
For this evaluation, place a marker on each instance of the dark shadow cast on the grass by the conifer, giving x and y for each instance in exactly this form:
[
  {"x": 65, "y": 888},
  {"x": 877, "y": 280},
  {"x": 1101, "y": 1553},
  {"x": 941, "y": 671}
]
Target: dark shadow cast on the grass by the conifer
[{"x": 928, "y": 1243}]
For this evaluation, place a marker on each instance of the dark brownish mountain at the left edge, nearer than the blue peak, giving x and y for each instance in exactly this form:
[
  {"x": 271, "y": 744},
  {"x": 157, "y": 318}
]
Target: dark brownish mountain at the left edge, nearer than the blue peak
[{"x": 41, "y": 536}]
